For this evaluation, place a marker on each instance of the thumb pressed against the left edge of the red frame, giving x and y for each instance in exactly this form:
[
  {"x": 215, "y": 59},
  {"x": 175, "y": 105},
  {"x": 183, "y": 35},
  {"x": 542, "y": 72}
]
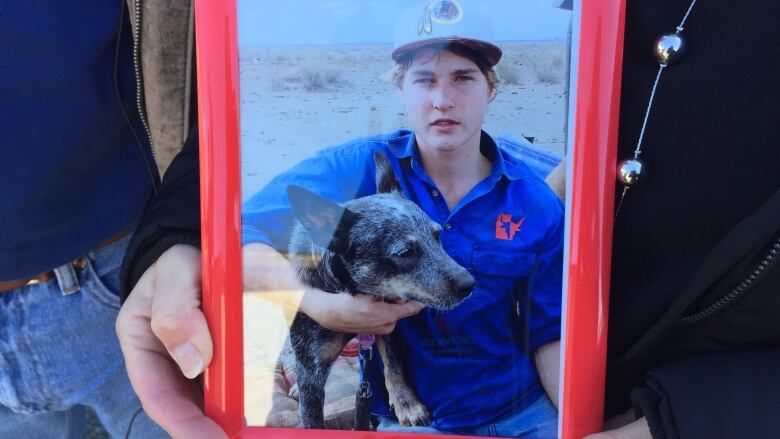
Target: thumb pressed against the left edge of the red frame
[{"x": 176, "y": 318}]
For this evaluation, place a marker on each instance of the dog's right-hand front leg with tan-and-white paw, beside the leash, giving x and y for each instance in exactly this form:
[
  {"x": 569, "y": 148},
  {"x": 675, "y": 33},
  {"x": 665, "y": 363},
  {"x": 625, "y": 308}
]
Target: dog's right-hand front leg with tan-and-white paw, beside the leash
[{"x": 408, "y": 408}]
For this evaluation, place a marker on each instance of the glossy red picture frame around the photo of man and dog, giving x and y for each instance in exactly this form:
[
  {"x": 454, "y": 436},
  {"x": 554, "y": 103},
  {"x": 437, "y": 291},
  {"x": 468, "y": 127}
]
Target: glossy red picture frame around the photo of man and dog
[{"x": 598, "y": 40}]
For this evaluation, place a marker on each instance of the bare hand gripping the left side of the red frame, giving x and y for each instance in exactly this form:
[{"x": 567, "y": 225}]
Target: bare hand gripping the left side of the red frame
[{"x": 164, "y": 338}]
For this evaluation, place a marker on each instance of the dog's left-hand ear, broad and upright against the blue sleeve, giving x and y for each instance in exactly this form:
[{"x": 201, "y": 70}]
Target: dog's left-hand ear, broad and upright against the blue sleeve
[{"x": 327, "y": 222}]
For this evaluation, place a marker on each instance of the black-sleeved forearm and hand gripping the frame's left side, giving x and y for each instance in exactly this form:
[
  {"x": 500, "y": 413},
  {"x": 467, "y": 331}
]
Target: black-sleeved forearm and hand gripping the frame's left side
[{"x": 161, "y": 329}]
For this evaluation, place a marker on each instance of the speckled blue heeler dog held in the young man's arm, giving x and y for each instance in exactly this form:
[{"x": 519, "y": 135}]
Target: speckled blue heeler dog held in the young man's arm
[{"x": 381, "y": 245}]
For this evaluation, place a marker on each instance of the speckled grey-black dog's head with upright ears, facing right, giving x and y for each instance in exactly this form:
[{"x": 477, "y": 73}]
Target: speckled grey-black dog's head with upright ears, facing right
[{"x": 384, "y": 243}]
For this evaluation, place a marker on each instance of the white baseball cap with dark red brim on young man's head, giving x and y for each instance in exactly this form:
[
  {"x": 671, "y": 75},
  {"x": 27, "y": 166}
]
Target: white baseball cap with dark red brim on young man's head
[{"x": 442, "y": 22}]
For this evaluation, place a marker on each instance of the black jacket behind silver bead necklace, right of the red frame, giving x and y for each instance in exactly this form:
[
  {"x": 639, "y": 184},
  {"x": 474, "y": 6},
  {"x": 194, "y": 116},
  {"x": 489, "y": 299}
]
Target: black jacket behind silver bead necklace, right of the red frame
[{"x": 706, "y": 215}]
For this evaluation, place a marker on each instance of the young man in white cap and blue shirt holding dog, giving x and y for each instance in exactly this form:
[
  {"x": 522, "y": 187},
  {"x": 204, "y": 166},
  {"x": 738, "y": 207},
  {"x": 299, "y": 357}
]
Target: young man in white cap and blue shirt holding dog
[{"x": 473, "y": 366}]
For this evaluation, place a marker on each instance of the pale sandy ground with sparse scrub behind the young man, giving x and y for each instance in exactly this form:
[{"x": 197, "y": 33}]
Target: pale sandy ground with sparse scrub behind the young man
[{"x": 295, "y": 101}]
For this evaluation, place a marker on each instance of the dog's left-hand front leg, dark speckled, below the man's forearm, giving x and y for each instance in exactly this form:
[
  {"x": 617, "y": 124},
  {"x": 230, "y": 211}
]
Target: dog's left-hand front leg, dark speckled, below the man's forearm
[{"x": 316, "y": 348}]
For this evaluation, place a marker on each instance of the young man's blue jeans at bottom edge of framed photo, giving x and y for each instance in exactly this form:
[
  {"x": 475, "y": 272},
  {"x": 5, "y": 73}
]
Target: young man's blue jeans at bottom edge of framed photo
[{"x": 537, "y": 421}]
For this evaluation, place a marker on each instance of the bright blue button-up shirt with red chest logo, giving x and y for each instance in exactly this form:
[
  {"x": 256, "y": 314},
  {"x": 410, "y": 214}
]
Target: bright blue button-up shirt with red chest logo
[{"x": 473, "y": 364}]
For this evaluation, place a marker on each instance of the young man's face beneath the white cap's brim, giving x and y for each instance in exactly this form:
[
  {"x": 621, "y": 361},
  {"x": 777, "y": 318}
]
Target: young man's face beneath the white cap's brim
[{"x": 446, "y": 98}]
